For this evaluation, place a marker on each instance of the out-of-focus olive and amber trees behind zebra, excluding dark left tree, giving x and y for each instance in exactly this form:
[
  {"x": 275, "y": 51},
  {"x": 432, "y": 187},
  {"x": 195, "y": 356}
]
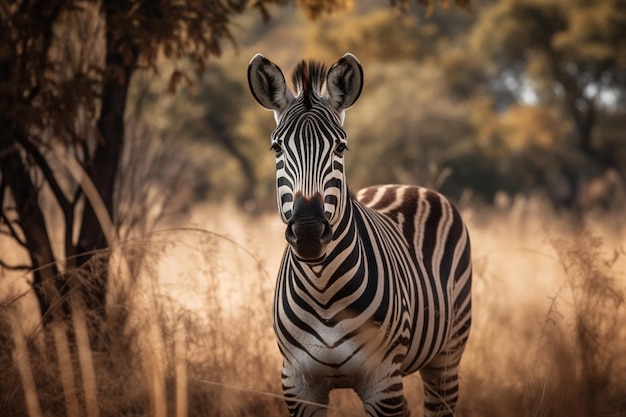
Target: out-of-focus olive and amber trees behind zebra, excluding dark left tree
[{"x": 507, "y": 100}]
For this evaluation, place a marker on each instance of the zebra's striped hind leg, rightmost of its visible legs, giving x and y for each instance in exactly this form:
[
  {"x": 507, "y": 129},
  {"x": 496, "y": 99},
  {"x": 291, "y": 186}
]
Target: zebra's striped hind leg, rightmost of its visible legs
[{"x": 441, "y": 385}]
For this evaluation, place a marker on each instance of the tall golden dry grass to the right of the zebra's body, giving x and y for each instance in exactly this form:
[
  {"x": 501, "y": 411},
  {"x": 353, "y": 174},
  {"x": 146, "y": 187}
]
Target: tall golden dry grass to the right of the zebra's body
[{"x": 550, "y": 337}]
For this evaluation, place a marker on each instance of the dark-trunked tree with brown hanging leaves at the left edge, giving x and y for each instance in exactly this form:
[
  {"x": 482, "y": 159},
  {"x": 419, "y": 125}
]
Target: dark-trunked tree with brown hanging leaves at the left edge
[{"x": 58, "y": 112}]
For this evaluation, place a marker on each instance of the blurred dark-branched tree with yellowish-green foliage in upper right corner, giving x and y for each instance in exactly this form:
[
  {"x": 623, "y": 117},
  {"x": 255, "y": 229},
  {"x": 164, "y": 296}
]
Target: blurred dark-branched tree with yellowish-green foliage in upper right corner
[{"x": 570, "y": 55}]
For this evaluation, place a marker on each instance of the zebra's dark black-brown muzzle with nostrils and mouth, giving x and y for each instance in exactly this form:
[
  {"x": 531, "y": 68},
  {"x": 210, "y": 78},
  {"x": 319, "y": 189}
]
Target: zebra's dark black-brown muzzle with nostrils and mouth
[{"x": 308, "y": 231}]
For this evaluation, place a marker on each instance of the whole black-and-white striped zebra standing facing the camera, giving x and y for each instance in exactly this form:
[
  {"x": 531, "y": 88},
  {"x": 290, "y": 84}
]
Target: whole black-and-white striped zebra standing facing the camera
[{"x": 370, "y": 288}]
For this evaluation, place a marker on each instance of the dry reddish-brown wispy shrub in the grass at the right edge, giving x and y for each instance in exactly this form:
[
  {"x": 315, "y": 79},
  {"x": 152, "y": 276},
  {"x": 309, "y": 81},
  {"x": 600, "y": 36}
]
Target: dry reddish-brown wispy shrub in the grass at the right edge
[{"x": 585, "y": 373}]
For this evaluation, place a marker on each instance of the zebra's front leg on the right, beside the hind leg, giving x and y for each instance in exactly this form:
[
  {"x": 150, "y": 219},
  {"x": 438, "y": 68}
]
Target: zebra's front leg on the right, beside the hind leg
[{"x": 384, "y": 398}]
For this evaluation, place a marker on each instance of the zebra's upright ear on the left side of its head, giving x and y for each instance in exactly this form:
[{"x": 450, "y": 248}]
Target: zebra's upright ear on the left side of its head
[{"x": 267, "y": 84}]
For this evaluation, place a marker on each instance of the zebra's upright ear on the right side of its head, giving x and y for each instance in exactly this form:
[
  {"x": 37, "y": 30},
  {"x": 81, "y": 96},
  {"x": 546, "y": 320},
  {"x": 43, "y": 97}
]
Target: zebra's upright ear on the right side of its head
[{"x": 344, "y": 82}]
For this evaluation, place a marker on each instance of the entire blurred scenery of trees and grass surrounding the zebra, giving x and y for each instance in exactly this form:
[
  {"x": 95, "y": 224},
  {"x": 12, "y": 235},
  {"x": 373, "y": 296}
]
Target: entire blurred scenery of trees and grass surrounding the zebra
[{"x": 138, "y": 231}]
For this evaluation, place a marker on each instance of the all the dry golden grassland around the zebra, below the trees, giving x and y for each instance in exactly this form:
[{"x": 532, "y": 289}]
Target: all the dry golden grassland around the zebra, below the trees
[{"x": 189, "y": 324}]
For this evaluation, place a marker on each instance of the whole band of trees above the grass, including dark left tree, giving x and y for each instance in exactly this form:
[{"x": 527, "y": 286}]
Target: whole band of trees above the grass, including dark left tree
[{"x": 117, "y": 114}]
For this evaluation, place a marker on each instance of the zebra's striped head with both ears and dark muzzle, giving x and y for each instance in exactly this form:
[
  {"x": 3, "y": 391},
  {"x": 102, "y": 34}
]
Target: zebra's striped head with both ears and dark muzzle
[{"x": 309, "y": 142}]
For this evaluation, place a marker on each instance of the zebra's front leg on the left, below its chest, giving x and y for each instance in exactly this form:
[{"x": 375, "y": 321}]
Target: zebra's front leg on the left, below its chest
[{"x": 303, "y": 397}]
